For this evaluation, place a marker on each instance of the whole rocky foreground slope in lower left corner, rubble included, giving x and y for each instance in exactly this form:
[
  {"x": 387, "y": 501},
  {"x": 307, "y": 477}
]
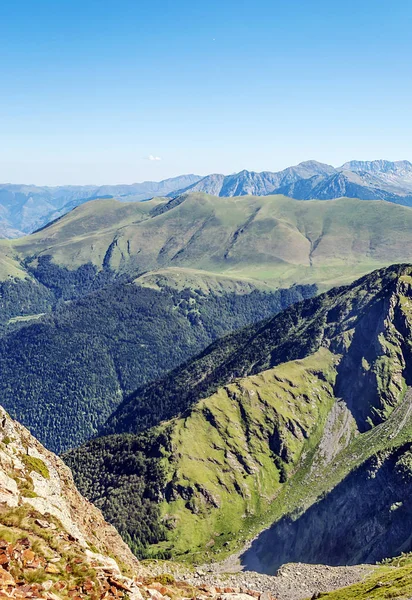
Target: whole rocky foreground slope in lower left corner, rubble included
[{"x": 53, "y": 542}]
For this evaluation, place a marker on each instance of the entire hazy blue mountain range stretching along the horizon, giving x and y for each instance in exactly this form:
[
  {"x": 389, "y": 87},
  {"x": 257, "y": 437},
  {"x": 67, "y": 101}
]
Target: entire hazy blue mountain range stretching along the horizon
[{"x": 25, "y": 208}]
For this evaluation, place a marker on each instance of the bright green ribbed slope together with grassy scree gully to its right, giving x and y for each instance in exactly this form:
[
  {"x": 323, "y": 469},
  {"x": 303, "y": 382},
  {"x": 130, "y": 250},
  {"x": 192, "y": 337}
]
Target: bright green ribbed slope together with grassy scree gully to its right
[{"x": 224, "y": 446}]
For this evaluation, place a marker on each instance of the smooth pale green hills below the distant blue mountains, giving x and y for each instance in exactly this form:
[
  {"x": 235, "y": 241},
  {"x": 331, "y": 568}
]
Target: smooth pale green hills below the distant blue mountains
[{"x": 273, "y": 239}]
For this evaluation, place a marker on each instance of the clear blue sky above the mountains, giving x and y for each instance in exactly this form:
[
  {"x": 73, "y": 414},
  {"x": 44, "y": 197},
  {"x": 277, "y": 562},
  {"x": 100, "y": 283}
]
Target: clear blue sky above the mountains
[{"x": 91, "y": 88}]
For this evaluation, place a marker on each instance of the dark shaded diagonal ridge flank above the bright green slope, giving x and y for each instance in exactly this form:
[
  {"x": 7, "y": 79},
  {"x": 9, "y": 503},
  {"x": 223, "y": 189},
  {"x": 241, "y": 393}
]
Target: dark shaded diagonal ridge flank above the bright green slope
[{"x": 295, "y": 333}]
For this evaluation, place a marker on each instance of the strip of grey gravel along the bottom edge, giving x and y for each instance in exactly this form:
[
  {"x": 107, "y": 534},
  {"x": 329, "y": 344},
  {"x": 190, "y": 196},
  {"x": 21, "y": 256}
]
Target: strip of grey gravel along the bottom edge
[{"x": 294, "y": 581}]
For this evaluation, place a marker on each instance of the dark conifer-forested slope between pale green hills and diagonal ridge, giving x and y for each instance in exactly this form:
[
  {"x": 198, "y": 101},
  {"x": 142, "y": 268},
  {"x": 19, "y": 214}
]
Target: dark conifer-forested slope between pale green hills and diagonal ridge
[{"x": 65, "y": 372}]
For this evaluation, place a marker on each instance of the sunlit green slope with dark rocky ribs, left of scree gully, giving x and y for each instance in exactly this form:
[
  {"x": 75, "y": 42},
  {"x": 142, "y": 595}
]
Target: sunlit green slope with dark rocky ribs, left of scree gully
[{"x": 223, "y": 451}]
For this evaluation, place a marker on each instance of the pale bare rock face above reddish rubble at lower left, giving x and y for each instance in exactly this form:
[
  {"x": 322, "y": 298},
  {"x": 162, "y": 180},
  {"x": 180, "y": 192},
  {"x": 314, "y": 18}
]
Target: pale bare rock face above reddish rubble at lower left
[{"x": 34, "y": 479}]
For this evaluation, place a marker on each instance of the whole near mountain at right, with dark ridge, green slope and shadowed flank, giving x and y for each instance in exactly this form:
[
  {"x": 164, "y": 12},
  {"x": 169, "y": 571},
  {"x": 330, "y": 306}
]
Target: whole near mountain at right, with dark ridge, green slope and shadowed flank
[{"x": 283, "y": 423}]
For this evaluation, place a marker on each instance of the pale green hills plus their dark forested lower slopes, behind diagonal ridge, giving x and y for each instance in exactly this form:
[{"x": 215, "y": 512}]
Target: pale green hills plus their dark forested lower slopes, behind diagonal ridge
[{"x": 114, "y": 294}]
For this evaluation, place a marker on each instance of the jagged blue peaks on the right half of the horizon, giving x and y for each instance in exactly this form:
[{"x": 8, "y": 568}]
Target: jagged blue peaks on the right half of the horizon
[{"x": 366, "y": 180}]
